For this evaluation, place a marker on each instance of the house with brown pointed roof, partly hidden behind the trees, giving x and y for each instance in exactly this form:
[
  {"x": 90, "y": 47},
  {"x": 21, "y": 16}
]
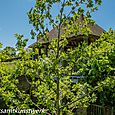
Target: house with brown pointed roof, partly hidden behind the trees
[{"x": 72, "y": 40}]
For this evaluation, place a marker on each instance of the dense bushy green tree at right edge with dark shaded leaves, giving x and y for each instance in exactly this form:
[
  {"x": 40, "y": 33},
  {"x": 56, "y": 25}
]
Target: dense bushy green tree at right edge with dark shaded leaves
[{"x": 97, "y": 65}]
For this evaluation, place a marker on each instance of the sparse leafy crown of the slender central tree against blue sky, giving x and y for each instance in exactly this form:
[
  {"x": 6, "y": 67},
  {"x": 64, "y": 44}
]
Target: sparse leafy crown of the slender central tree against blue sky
[{"x": 42, "y": 18}]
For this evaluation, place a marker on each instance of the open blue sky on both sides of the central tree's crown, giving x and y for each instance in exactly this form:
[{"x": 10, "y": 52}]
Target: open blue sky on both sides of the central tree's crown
[{"x": 14, "y": 19}]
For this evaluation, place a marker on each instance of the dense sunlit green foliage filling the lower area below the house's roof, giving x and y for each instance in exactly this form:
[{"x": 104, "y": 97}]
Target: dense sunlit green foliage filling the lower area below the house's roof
[{"x": 37, "y": 89}]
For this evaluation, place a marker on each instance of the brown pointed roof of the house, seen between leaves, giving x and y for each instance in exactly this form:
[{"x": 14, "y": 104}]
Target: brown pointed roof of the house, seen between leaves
[{"x": 96, "y": 31}]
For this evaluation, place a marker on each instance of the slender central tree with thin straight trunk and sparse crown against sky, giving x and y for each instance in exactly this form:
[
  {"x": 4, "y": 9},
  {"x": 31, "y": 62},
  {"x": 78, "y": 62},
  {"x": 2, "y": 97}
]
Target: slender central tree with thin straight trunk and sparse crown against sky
[{"x": 41, "y": 14}]
